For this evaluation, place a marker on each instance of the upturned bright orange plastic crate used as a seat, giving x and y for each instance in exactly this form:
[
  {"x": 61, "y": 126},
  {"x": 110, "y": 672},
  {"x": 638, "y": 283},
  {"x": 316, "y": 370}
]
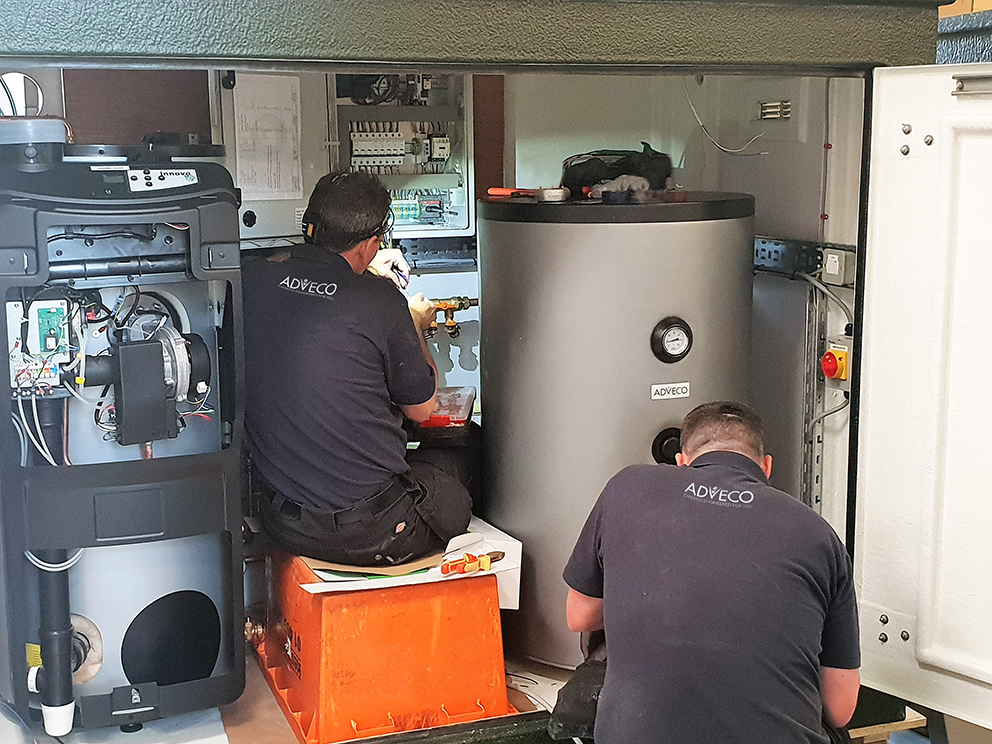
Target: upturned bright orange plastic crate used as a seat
[{"x": 356, "y": 664}]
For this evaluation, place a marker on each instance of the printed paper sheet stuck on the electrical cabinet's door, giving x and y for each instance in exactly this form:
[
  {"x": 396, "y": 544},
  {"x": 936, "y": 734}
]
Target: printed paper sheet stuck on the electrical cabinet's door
[{"x": 267, "y": 136}]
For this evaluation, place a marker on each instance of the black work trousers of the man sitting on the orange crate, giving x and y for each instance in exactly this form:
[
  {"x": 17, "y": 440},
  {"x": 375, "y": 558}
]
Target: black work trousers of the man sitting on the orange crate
[{"x": 411, "y": 516}]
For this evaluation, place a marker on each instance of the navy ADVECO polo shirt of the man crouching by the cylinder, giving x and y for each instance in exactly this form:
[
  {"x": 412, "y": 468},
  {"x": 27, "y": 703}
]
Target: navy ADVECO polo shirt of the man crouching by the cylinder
[{"x": 722, "y": 598}]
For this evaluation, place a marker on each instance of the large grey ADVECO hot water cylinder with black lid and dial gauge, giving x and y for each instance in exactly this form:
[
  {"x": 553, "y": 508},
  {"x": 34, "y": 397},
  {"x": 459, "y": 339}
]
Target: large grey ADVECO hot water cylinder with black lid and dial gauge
[{"x": 602, "y": 326}]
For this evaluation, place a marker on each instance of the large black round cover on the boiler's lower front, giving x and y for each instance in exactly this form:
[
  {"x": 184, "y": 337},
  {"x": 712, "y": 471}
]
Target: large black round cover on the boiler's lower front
[{"x": 174, "y": 639}]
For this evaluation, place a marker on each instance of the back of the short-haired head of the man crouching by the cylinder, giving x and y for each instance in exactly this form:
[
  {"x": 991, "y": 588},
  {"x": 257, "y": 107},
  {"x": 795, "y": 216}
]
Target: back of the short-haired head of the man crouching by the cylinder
[{"x": 723, "y": 425}]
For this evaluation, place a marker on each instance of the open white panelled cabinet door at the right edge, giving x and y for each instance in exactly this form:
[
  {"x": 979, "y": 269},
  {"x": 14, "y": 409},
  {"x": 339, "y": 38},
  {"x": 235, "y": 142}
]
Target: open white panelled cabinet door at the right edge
[{"x": 924, "y": 539}]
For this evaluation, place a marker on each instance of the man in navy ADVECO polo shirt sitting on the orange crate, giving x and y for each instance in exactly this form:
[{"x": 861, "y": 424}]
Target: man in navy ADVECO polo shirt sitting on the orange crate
[{"x": 335, "y": 359}]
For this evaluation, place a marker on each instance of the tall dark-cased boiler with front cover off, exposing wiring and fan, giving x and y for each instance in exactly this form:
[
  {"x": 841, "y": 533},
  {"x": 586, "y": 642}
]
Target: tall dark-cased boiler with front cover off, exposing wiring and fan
[{"x": 120, "y": 547}]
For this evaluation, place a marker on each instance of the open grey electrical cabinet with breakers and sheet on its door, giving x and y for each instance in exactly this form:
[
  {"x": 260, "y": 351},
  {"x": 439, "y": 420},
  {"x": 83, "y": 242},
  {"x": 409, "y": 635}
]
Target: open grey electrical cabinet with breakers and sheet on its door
[{"x": 283, "y": 131}]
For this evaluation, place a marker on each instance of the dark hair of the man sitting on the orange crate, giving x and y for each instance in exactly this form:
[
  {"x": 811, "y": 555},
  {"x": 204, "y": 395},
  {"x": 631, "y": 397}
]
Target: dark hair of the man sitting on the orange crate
[{"x": 345, "y": 209}]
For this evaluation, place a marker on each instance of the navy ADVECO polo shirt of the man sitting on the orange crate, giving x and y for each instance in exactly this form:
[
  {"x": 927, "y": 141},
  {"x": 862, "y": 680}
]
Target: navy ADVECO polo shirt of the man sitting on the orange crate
[{"x": 330, "y": 355}]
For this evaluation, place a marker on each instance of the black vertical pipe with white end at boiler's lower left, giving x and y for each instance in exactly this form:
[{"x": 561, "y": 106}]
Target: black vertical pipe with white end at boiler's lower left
[{"x": 57, "y": 704}]
